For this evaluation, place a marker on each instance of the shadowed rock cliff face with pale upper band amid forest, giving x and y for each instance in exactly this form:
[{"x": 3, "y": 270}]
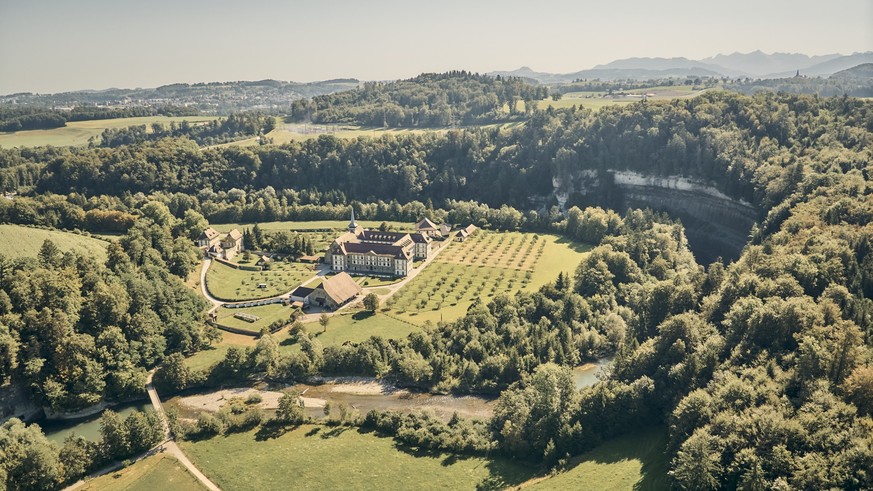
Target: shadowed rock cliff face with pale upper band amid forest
[{"x": 716, "y": 224}]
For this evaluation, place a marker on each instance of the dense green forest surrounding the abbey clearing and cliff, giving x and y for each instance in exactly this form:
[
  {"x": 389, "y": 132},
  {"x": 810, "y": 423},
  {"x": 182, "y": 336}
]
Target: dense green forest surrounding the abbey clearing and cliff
[{"x": 760, "y": 369}]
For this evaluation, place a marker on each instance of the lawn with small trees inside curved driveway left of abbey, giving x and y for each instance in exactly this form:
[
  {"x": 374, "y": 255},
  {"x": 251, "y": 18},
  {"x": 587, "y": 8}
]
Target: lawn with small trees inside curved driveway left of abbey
[{"x": 227, "y": 283}]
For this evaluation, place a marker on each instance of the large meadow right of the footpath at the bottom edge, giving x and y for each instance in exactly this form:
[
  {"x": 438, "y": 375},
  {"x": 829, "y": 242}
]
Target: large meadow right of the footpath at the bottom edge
[{"x": 321, "y": 457}]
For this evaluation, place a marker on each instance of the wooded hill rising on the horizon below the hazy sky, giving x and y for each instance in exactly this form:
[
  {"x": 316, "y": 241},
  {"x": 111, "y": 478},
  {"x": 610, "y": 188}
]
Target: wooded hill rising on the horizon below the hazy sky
[{"x": 429, "y": 100}]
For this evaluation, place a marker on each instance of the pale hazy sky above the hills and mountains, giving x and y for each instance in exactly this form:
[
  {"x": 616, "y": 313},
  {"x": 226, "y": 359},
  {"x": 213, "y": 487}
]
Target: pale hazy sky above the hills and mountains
[{"x": 50, "y": 46}]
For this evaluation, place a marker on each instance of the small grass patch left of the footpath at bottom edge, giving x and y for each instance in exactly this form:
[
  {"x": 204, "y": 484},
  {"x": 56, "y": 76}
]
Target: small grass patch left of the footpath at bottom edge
[{"x": 159, "y": 471}]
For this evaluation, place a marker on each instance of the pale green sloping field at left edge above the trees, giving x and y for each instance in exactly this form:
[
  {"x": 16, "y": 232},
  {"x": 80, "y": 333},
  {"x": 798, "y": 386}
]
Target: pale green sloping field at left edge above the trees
[{"x": 19, "y": 241}]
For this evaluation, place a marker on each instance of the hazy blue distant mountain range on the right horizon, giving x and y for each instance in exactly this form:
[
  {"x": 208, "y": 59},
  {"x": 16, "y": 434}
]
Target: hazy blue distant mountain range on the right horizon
[{"x": 752, "y": 65}]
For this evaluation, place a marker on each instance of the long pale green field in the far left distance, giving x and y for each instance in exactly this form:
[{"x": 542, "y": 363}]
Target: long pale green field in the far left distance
[{"x": 78, "y": 132}]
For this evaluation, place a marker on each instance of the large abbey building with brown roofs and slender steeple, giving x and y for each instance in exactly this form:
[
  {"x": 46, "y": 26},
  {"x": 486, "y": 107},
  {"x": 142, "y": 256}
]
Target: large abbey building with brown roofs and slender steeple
[{"x": 374, "y": 252}]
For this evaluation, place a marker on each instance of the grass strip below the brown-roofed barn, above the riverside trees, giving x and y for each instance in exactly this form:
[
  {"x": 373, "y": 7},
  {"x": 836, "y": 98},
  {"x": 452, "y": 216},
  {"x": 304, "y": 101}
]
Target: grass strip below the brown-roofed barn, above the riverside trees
[{"x": 358, "y": 326}]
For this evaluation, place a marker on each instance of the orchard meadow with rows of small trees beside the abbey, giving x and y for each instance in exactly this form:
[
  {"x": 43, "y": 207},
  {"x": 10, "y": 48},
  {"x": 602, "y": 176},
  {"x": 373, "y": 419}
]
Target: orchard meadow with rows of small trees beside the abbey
[{"x": 485, "y": 265}]
